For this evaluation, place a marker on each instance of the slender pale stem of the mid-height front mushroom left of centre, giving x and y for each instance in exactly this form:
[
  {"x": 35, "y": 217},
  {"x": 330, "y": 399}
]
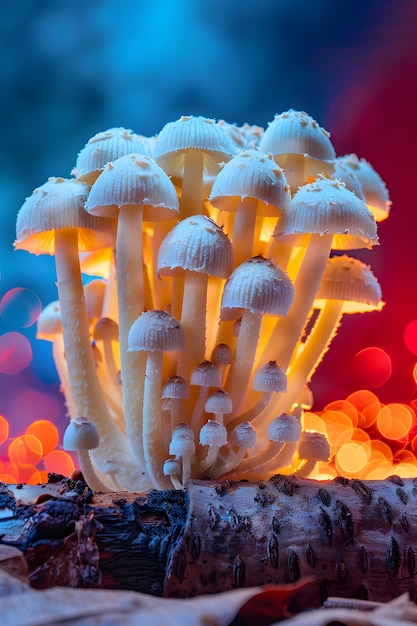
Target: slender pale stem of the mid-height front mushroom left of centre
[{"x": 154, "y": 452}]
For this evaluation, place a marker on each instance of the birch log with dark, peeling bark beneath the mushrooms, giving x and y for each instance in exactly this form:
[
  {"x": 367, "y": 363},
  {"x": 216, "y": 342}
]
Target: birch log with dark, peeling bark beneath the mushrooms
[{"x": 357, "y": 538}]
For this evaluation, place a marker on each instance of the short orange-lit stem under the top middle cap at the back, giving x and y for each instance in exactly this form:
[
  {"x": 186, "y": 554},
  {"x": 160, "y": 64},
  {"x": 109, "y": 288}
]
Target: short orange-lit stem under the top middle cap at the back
[{"x": 192, "y": 184}]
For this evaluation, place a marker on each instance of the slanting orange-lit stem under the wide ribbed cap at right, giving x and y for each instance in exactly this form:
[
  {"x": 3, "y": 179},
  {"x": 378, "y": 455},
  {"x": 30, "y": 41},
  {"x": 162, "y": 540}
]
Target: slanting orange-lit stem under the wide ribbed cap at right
[{"x": 287, "y": 331}]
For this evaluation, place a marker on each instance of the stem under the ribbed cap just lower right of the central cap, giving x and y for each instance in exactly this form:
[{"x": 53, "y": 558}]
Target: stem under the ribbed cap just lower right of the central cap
[{"x": 241, "y": 368}]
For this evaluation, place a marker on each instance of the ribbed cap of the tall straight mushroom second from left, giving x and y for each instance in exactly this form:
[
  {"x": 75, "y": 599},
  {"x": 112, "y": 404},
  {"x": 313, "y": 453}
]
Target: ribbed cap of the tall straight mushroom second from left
[{"x": 134, "y": 180}]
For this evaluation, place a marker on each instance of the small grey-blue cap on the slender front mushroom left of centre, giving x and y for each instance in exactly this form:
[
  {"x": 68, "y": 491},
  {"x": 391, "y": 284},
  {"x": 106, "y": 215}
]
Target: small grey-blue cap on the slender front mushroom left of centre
[{"x": 156, "y": 330}]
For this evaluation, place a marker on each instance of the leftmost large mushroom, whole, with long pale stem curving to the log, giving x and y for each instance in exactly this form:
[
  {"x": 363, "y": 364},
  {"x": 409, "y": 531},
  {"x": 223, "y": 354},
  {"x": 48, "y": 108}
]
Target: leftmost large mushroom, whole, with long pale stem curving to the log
[{"x": 53, "y": 221}]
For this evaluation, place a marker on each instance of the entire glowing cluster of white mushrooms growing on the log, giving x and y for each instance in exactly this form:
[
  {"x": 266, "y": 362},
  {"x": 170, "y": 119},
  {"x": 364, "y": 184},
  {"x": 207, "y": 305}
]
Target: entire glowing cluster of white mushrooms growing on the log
[{"x": 217, "y": 278}]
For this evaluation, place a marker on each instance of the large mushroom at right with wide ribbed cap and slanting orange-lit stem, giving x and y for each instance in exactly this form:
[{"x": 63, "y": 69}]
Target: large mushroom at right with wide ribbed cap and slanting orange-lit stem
[{"x": 321, "y": 216}]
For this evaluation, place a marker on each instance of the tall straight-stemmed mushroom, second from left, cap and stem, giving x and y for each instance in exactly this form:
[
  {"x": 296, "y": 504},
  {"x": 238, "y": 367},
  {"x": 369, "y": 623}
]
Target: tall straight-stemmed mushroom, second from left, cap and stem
[{"x": 134, "y": 189}]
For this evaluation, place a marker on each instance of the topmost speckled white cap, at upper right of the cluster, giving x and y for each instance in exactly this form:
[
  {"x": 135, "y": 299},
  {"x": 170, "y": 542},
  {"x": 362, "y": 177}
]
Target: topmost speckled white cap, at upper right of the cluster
[{"x": 295, "y": 132}]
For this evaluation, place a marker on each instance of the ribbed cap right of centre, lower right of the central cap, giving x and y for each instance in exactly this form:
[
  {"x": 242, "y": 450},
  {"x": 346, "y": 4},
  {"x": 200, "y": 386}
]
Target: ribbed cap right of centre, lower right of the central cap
[{"x": 257, "y": 285}]
